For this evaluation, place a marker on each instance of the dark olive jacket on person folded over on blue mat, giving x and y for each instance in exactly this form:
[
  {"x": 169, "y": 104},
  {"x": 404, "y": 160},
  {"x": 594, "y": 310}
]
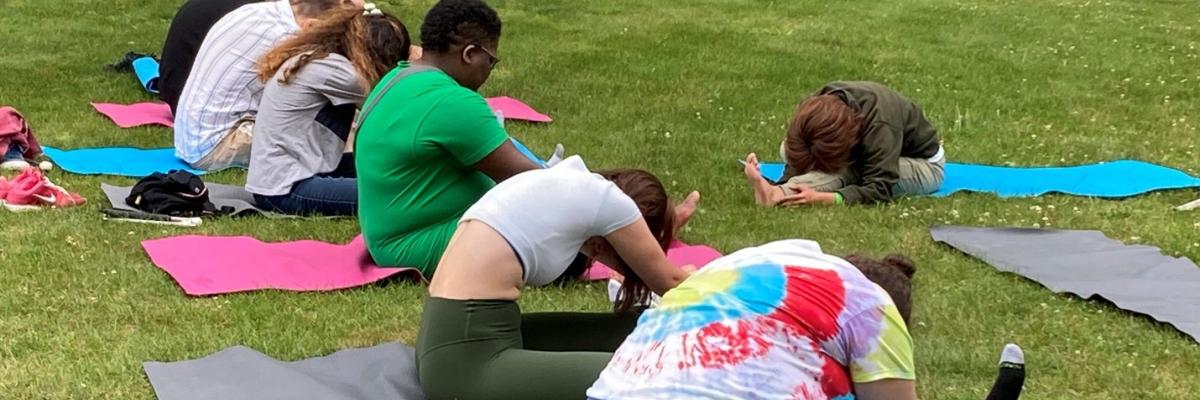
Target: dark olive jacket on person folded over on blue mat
[{"x": 892, "y": 128}]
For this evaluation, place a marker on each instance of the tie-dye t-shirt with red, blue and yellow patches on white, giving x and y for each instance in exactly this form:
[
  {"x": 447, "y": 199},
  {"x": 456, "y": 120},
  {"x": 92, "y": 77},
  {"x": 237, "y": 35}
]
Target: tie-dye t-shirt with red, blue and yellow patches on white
[{"x": 779, "y": 321}]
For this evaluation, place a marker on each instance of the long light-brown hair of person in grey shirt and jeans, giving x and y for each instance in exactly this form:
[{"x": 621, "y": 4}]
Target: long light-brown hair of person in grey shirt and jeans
[{"x": 374, "y": 44}]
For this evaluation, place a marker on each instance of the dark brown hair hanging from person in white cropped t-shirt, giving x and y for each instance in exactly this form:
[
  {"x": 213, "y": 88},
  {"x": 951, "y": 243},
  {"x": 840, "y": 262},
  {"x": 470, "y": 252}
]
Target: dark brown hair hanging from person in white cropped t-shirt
[{"x": 652, "y": 200}]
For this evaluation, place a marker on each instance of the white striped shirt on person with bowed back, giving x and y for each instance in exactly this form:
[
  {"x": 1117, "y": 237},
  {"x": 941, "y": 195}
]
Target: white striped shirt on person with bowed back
[{"x": 224, "y": 87}]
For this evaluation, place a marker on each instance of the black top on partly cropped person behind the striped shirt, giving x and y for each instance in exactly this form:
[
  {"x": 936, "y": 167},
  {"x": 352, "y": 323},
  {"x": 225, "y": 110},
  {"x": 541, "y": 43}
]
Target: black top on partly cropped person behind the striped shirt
[{"x": 184, "y": 38}]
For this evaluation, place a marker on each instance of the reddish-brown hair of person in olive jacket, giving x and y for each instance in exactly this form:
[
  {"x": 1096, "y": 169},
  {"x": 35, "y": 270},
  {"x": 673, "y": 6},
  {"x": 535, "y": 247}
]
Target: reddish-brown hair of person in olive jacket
[{"x": 821, "y": 135}]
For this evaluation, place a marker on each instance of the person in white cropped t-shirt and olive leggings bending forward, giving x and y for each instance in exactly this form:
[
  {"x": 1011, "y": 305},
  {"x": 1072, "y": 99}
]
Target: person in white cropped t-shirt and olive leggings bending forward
[{"x": 476, "y": 344}]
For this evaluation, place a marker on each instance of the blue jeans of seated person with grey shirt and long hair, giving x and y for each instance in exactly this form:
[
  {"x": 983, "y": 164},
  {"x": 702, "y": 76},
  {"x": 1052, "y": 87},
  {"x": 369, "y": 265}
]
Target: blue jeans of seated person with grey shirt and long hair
[{"x": 319, "y": 195}]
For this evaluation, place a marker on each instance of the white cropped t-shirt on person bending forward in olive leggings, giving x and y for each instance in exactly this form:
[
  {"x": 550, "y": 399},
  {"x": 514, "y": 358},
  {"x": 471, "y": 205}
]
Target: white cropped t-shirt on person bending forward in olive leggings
[{"x": 548, "y": 214}]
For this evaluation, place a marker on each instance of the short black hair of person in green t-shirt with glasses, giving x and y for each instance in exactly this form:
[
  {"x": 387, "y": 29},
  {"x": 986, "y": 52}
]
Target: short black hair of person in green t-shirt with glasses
[{"x": 459, "y": 22}]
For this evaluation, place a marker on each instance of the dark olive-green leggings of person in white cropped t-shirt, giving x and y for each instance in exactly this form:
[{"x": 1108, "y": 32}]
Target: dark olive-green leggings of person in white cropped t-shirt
[{"x": 489, "y": 350}]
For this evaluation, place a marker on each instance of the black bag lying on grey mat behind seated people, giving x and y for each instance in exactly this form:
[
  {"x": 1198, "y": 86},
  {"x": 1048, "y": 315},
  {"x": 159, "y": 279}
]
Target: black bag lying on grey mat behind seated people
[{"x": 176, "y": 194}]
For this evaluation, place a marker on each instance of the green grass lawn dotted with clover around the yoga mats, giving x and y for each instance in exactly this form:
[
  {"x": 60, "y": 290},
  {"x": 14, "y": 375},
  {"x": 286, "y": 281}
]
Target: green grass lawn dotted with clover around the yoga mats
[{"x": 683, "y": 89}]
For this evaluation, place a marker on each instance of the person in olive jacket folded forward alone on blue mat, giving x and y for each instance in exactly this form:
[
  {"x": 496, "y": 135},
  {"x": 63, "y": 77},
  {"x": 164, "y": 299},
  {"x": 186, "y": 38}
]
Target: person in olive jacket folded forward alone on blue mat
[{"x": 854, "y": 144}]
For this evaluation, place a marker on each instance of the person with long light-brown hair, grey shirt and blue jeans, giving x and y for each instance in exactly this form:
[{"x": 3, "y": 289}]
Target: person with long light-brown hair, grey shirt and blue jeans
[{"x": 315, "y": 82}]
